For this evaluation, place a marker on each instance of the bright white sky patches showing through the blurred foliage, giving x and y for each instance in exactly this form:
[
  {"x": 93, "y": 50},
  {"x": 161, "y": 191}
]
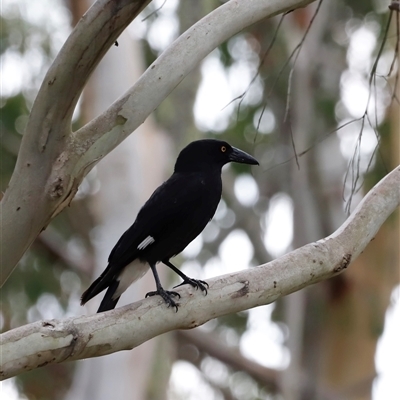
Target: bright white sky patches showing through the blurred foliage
[{"x": 264, "y": 340}]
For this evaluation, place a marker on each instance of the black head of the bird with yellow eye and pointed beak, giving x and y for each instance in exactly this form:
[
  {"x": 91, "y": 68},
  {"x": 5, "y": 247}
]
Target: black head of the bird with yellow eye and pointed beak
[{"x": 210, "y": 154}]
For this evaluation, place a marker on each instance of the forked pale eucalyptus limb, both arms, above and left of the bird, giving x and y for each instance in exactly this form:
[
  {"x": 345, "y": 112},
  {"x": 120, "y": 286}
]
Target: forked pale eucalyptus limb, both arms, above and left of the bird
[{"x": 52, "y": 160}]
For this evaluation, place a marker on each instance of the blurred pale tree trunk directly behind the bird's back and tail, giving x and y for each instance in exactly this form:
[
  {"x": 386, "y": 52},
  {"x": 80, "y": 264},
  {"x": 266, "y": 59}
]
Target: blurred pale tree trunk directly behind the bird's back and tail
[{"x": 127, "y": 177}]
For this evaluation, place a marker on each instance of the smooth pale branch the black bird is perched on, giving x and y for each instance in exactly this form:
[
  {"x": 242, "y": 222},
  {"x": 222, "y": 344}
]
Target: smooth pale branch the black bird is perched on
[{"x": 55, "y": 341}]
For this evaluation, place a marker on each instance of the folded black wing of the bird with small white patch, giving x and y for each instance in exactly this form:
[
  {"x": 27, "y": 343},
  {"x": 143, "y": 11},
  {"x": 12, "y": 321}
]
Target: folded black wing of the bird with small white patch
[{"x": 166, "y": 211}]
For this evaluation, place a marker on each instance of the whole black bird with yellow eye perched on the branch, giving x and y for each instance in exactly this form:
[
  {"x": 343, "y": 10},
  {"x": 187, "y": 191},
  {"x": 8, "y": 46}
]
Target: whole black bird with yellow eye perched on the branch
[{"x": 175, "y": 214}]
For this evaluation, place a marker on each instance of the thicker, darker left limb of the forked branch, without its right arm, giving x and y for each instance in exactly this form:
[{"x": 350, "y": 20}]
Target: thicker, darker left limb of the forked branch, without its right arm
[{"x": 43, "y": 182}]
